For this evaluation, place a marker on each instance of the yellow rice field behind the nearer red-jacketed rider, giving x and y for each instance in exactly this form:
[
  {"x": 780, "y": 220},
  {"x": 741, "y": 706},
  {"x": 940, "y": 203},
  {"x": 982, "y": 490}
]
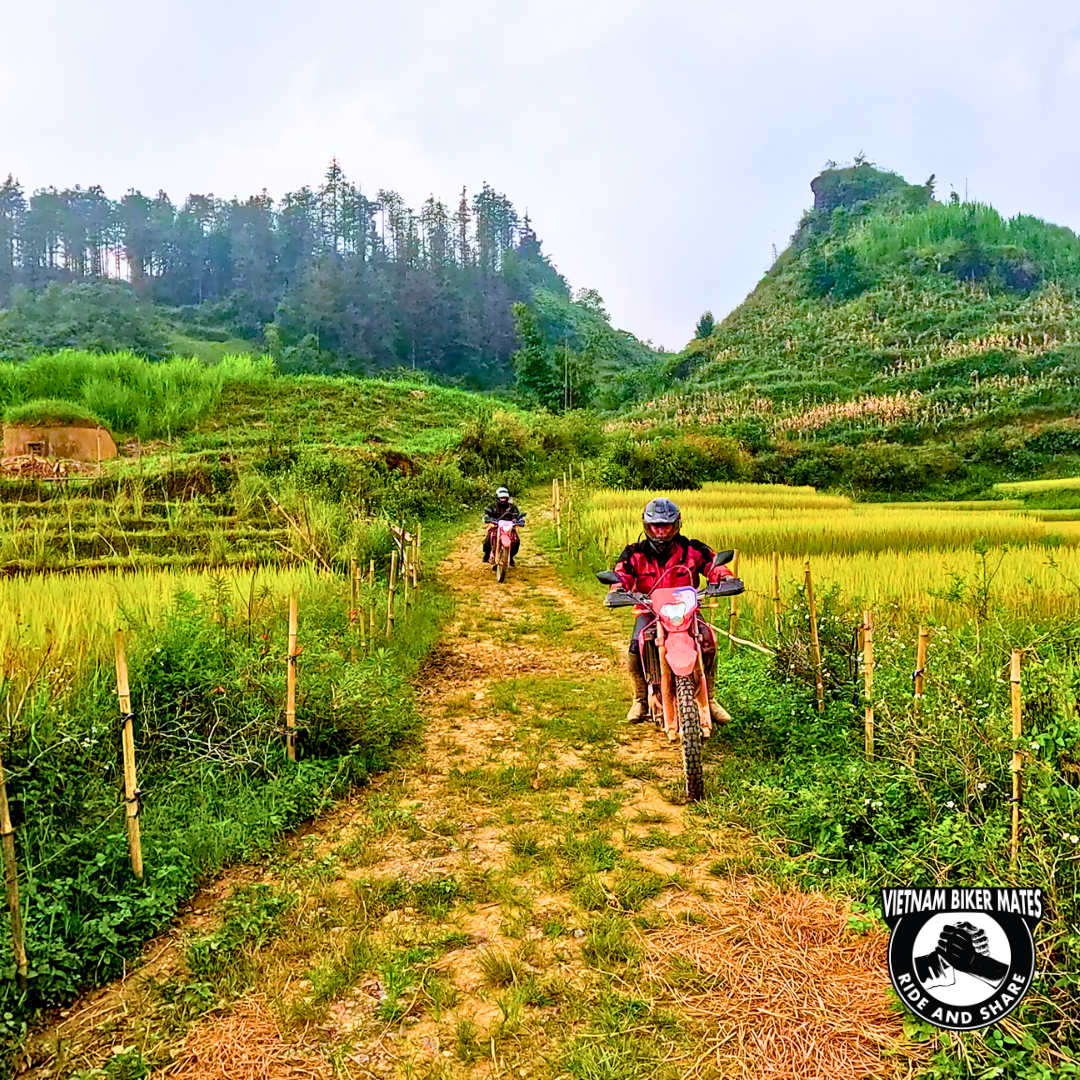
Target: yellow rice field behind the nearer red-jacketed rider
[{"x": 890, "y": 557}]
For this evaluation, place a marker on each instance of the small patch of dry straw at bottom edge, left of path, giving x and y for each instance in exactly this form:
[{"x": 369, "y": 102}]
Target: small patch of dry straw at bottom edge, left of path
[{"x": 246, "y": 1045}]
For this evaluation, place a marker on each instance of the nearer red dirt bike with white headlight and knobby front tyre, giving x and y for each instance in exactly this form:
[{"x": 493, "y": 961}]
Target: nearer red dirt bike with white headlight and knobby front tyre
[{"x": 671, "y": 651}]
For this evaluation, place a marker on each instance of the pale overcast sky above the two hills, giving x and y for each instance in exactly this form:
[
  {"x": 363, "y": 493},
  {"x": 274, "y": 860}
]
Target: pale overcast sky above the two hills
[{"x": 661, "y": 148}]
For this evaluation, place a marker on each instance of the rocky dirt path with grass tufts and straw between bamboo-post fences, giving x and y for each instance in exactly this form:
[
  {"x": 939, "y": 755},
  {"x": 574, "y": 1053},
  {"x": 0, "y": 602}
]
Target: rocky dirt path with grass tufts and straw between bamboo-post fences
[{"x": 523, "y": 897}]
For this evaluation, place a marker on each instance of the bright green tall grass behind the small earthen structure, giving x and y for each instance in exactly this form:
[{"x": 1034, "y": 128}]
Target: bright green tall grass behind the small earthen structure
[{"x": 130, "y": 395}]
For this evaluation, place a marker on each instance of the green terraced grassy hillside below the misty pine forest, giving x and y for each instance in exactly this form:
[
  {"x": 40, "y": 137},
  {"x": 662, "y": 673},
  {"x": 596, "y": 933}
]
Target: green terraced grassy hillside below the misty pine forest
[{"x": 237, "y": 464}]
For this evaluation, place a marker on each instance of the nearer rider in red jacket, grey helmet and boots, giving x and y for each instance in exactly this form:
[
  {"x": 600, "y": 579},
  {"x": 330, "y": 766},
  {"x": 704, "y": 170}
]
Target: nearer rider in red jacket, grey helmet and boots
[{"x": 641, "y": 566}]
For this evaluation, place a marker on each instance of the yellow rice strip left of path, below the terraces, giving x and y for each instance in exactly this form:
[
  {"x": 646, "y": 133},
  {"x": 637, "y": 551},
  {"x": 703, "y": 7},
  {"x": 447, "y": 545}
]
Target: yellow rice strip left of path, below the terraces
[{"x": 78, "y": 614}]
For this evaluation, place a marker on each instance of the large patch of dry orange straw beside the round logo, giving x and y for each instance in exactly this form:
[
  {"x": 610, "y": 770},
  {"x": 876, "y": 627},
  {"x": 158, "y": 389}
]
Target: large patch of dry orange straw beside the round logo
[{"x": 796, "y": 994}]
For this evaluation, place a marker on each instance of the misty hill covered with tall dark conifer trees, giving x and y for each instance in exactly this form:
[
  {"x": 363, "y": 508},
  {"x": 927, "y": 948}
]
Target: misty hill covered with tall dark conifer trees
[{"x": 328, "y": 279}]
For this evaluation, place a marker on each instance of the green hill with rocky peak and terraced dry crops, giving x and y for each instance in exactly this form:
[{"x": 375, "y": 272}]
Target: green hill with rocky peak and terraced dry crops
[{"x": 899, "y": 342}]
